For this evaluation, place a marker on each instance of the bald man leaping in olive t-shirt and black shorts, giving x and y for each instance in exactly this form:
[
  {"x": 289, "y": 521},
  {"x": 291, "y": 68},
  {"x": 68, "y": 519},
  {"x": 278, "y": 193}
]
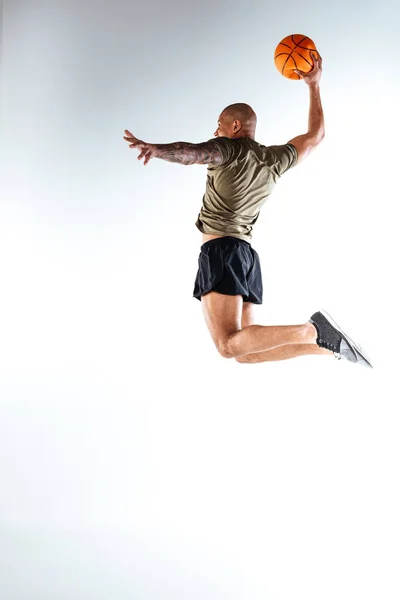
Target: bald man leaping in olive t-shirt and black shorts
[{"x": 241, "y": 175}]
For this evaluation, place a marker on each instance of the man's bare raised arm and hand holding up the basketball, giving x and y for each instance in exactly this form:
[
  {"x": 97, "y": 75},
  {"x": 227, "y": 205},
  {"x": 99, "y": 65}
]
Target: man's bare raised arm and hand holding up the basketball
[{"x": 316, "y": 126}]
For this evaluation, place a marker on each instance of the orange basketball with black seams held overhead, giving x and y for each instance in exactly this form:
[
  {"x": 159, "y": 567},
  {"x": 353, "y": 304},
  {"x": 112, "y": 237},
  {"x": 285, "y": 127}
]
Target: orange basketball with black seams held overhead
[{"x": 293, "y": 52}]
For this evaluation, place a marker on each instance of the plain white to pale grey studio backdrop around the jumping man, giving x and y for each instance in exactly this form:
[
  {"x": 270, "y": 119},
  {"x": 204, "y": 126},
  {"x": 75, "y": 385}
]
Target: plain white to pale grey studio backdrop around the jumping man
[{"x": 135, "y": 462}]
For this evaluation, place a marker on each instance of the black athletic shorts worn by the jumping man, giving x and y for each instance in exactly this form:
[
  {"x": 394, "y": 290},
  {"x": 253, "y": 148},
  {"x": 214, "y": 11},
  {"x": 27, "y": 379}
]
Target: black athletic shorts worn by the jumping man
[{"x": 229, "y": 266}]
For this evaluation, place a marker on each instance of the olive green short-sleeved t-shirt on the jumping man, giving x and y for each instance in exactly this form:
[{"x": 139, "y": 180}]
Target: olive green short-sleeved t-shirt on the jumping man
[{"x": 238, "y": 187}]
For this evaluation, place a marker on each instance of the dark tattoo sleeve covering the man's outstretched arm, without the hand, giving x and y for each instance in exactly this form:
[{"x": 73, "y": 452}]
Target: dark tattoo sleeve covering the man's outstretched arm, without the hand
[{"x": 189, "y": 154}]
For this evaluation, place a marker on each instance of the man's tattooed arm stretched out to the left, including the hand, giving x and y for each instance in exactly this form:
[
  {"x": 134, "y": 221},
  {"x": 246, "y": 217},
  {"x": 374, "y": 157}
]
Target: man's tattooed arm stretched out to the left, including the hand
[{"x": 184, "y": 153}]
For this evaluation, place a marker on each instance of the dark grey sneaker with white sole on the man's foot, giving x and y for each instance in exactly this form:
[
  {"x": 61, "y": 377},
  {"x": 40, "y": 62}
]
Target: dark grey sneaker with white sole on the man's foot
[{"x": 331, "y": 337}]
